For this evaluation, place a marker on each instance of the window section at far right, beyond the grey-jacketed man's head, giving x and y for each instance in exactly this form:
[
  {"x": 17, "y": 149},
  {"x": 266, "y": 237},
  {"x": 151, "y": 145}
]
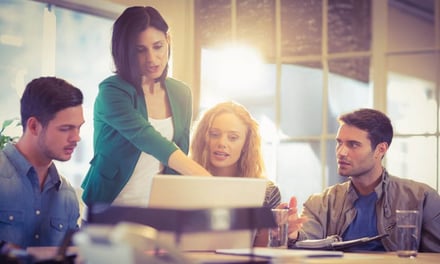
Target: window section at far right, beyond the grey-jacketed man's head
[{"x": 413, "y": 66}]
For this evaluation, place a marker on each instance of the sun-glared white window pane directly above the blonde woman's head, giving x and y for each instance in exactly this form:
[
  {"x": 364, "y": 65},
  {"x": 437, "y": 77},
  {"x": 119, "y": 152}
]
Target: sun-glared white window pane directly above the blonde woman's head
[{"x": 236, "y": 73}]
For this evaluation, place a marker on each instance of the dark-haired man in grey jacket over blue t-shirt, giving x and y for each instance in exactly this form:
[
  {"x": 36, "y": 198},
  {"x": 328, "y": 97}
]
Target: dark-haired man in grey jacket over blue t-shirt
[{"x": 366, "y": 204}]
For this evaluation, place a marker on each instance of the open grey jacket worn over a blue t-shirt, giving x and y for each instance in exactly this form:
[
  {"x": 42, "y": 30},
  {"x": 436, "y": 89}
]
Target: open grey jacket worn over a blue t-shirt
[{"x": 332, "y": 211}]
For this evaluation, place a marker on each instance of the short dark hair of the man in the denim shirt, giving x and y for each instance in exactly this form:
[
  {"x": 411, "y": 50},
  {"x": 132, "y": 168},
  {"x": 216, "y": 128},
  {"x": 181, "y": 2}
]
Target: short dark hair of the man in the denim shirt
[{"x": 46, "y": 96}]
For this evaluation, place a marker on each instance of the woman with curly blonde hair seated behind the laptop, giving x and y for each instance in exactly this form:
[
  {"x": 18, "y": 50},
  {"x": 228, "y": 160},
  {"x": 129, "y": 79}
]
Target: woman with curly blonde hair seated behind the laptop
[{"x": 227, "y": 142}]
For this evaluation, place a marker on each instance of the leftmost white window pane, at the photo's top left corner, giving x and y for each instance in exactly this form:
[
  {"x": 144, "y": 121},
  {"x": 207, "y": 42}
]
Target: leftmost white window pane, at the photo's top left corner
[{"x": 20, "y": 51}]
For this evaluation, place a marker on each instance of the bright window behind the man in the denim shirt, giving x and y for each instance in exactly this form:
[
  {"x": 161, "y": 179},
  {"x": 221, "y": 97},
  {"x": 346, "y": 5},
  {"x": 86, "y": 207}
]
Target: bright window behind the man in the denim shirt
[{"x": 38, "y": 39}]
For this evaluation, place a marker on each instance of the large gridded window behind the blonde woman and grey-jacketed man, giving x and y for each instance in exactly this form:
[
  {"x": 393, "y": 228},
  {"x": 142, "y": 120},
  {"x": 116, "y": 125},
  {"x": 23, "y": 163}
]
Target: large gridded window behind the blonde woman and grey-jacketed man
[{"x": 314, "y": 68}]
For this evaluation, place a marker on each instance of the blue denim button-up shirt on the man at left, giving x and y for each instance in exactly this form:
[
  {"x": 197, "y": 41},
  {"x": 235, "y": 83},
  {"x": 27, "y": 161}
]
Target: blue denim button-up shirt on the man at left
[{"x": 30, "y": 216}]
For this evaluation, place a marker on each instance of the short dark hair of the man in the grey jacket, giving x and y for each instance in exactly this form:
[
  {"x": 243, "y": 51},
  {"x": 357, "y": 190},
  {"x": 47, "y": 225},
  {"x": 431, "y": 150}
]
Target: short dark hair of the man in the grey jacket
[{"x": 375, "y": 123}]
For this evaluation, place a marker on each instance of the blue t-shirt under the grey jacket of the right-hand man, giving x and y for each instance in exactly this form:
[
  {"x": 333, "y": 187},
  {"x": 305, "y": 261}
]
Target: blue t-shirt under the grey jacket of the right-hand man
[{"x": 364, "y": 224}]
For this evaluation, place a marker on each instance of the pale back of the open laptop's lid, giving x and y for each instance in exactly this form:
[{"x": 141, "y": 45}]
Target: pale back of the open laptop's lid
[{"x": 193, "y": 192}]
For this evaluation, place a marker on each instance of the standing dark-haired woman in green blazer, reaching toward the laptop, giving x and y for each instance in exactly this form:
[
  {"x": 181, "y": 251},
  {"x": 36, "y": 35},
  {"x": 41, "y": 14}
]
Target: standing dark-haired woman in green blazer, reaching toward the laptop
[{"x": 142, "y": 117}]
